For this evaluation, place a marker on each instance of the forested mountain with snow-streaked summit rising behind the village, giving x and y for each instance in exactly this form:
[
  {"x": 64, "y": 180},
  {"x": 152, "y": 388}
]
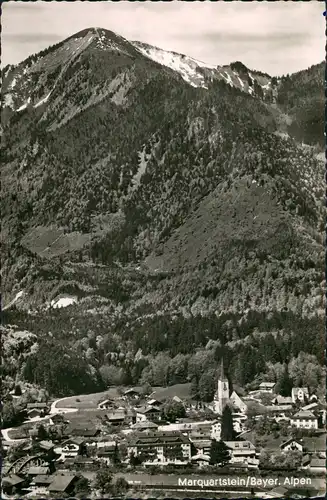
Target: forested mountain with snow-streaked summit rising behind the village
[{"x": 169, "y": 205}]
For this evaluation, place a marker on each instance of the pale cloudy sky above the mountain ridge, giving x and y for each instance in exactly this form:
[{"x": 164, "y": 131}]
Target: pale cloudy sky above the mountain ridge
[{"x": 273, "y": 37}]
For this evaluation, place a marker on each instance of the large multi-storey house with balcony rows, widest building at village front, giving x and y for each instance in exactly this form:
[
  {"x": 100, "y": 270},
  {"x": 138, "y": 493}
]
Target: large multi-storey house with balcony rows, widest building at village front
[{"x": 160, "y": 448}]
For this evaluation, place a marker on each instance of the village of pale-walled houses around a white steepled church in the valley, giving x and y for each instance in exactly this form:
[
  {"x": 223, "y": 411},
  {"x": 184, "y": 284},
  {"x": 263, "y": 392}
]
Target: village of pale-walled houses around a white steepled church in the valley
[{"x": 145, "y": 440}]
